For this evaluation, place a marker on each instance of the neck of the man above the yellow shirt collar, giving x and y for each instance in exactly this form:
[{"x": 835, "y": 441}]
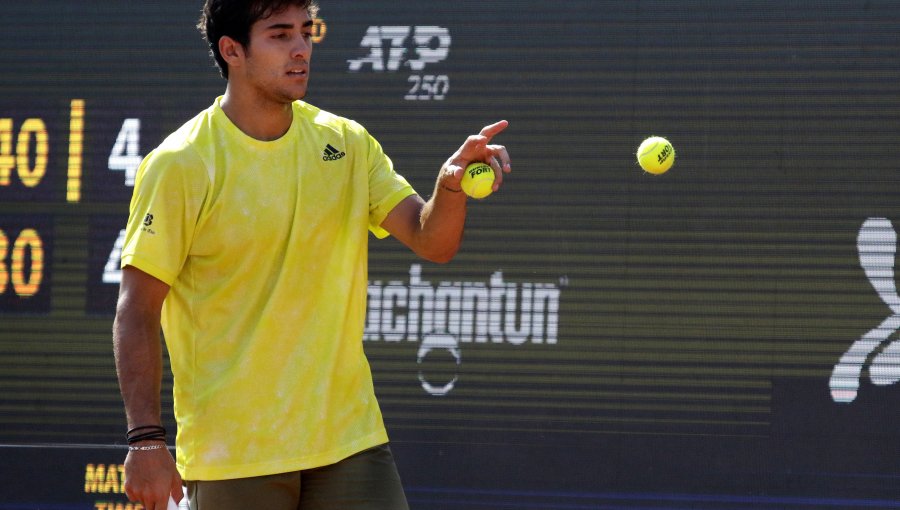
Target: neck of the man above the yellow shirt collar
[{"x": 263, "y": 120}]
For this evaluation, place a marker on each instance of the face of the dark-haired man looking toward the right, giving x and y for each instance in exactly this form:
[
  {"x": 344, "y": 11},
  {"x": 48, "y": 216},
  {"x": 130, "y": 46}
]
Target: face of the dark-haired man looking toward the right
[{"x": 276, "y": 62}]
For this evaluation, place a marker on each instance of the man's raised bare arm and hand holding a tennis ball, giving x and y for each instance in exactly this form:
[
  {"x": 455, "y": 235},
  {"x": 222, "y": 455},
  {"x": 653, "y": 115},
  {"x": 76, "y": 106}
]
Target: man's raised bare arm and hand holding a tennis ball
[{"x": 434, "y": 229}]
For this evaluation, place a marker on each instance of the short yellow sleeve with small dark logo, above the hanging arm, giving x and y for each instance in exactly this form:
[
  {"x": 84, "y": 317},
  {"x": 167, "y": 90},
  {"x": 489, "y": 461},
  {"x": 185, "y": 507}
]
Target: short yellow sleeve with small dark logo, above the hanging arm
[{"x": 165, "y": 207}]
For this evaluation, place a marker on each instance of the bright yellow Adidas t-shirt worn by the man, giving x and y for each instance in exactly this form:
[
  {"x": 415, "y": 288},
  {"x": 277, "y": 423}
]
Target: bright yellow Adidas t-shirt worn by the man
[{"x": 265, "y": 247}]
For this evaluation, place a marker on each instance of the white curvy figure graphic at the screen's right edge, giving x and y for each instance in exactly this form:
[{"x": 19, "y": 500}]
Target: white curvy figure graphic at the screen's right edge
[{"x": 877, "y": 245}]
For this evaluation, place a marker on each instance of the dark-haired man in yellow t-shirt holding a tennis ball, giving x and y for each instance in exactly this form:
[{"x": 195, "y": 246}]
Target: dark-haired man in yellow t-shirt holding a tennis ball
[{"x": 250, "y": 248}]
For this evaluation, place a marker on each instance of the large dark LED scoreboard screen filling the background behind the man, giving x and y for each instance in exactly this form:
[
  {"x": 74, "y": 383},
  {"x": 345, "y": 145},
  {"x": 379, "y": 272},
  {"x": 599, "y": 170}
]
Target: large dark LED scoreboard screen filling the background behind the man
[{"x": 723, "y": 335}]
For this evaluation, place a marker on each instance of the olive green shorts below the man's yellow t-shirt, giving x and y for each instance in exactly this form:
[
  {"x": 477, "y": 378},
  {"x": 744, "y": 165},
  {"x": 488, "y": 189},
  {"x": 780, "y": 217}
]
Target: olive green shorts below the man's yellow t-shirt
[{"x": 365, "y": 481}]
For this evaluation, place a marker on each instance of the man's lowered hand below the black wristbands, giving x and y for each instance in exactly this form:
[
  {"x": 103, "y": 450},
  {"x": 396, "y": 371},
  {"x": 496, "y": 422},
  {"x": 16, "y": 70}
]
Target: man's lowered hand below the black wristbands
[{"x": 151, "y": 477}]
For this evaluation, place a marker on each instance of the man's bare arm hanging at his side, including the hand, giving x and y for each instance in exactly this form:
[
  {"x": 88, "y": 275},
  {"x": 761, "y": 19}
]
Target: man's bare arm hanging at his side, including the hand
[{"x": 150, "y": 475}]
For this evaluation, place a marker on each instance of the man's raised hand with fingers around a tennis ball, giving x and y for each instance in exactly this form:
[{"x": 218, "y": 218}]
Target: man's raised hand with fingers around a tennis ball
[{"x": 478, "y": 148}]
